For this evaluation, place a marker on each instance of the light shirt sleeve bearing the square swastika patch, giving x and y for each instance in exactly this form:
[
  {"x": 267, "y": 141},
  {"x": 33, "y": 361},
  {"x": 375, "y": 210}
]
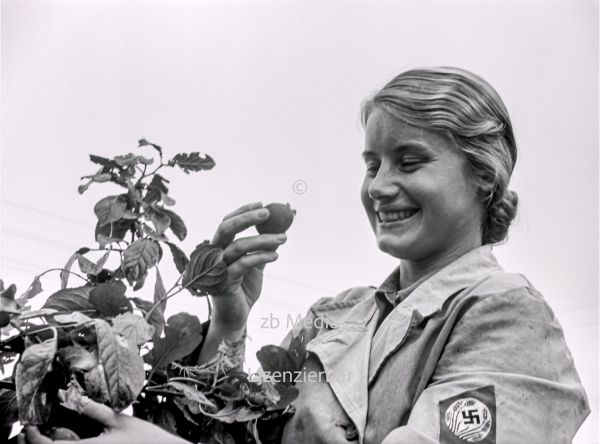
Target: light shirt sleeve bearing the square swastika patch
[{"x": 505, "y": 376}]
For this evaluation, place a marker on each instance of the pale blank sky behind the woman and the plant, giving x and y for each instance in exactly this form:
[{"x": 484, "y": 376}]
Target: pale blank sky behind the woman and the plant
[{"x": 271, "y": 90}]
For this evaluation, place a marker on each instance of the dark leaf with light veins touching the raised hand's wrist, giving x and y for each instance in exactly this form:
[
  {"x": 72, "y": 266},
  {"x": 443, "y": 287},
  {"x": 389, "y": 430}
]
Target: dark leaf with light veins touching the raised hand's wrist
[{"x": 207, "y": 272}]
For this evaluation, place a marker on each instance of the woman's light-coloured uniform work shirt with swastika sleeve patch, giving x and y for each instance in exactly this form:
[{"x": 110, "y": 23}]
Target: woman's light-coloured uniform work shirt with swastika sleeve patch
[{"x": 471, "y": 354}]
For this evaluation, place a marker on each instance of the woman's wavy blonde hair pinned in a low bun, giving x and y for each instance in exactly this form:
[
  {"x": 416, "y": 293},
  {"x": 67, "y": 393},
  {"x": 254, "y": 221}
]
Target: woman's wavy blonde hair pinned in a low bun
[{"x": 466, "y": 109}]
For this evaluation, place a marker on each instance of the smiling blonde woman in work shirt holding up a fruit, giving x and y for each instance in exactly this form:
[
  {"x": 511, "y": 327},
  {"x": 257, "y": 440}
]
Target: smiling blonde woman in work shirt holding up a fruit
[{"x": 449, "y": 348}]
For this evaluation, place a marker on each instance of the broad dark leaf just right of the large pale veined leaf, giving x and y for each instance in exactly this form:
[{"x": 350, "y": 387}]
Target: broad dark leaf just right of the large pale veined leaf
[{"x": 183, "y": 334}]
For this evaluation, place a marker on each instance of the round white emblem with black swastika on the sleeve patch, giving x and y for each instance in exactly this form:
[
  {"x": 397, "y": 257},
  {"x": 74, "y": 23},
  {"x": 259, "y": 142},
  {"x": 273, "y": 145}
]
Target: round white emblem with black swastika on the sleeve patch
[{"x": 469, "y": 419}]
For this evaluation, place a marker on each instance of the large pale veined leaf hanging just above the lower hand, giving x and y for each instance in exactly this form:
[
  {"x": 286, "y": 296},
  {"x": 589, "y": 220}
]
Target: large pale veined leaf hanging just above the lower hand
[{"x": 123, "y": 367}]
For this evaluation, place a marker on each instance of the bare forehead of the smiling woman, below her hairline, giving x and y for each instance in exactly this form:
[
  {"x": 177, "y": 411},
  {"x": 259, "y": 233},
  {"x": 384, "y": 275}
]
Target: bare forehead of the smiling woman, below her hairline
[{"x": 385, "y": 131}]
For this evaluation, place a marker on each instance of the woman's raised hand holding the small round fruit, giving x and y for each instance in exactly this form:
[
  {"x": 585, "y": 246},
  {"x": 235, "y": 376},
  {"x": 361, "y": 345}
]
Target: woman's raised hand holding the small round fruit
[{"x": 246, "y": 258}]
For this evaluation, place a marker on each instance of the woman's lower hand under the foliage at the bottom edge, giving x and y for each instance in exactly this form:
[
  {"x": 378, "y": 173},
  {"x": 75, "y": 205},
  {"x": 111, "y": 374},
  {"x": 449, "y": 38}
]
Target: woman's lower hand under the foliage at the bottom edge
[{"x": 119, "y": 429}]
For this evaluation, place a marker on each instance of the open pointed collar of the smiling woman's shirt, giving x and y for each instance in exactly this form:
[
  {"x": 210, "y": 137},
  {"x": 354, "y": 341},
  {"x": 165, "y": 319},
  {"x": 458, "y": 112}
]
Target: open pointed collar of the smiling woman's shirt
[{"x": 431, "y": 292}]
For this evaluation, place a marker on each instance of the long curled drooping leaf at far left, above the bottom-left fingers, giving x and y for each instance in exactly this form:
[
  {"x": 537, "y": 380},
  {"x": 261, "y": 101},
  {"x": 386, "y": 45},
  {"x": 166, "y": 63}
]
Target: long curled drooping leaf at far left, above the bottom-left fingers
[{"x": 35, "y": 362}]
